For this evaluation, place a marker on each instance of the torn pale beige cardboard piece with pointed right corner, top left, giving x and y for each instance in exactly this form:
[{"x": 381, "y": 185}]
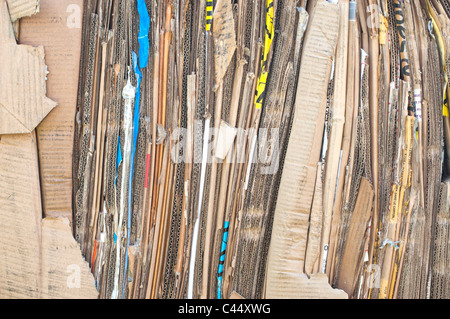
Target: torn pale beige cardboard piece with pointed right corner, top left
[{"x": 23, "y": 101}]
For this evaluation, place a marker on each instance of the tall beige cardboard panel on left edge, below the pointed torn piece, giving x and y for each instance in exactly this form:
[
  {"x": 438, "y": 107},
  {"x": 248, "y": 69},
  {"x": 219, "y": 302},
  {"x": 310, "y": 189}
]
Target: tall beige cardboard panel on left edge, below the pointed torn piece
[{"x": 20, "y": 218}]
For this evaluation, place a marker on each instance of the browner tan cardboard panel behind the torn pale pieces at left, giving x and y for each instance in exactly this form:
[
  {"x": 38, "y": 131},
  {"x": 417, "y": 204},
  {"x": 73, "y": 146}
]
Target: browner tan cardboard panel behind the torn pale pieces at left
[{"x": 58, "y": 28}]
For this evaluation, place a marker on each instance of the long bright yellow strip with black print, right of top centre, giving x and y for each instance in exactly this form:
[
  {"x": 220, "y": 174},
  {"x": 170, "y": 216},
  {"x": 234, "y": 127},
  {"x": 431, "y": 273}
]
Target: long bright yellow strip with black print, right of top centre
[{"x": 261, "y": 86}]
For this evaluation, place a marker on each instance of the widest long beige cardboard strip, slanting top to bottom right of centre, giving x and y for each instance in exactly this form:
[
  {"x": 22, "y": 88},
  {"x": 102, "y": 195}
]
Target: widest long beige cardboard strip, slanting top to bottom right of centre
[{"x": 290, "y": 226}]
